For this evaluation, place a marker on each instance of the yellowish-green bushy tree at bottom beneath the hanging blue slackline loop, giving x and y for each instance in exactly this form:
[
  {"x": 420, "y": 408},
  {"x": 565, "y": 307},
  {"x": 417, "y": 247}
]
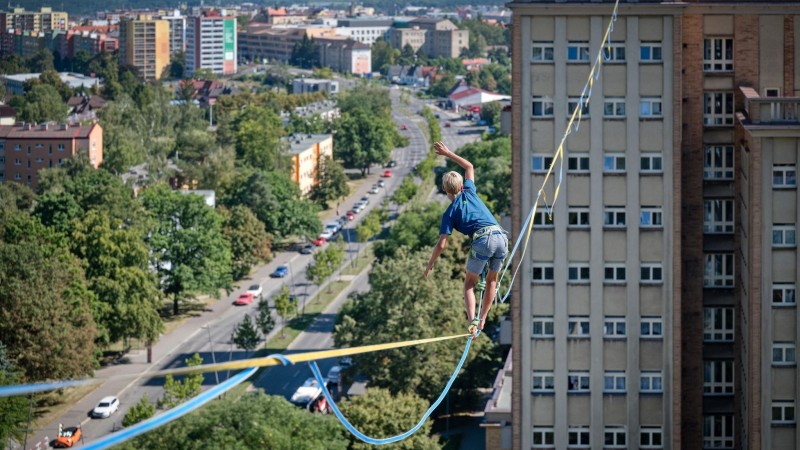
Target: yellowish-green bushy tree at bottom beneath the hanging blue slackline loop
[{"x": 379, "y": 413}]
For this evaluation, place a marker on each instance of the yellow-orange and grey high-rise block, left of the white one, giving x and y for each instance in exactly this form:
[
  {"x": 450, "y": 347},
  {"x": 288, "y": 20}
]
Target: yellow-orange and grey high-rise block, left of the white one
[{"x": 144, "y": 44}]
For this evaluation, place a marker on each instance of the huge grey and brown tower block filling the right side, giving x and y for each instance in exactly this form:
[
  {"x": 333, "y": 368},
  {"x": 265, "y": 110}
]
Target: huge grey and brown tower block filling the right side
[{"x": 655, "y": 311}]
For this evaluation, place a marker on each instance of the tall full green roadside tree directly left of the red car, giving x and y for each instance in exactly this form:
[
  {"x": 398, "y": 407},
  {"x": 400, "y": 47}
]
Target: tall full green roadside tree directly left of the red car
[{"x": 188, "y": 249}]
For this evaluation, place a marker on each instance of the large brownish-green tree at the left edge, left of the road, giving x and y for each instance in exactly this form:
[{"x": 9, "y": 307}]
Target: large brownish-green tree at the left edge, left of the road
[{"x": 45, "y": 320}]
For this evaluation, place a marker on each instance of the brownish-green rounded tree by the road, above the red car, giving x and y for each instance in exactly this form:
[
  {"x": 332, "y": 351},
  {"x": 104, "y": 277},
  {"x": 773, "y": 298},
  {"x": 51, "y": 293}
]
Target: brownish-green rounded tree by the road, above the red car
[{"x": 249, "y": 242}]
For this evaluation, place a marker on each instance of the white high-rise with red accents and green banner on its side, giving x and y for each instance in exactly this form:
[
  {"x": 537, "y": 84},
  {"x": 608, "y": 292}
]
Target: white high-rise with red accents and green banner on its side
[{"x": 211, "y": 43}]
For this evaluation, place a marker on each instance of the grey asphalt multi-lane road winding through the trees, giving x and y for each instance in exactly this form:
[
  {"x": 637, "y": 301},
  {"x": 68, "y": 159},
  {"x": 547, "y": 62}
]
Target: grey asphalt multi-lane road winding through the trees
[{"x": 209, "y": 333}]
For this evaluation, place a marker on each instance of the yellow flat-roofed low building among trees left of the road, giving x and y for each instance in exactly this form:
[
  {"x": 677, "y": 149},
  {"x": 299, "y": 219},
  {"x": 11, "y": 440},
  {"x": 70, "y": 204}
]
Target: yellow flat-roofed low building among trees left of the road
[{"x": 306, "y": 150}]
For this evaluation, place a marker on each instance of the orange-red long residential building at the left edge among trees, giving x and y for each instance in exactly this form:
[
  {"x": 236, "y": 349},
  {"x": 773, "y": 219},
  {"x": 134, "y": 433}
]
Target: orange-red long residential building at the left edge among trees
[{"x": 26, "y": 148}]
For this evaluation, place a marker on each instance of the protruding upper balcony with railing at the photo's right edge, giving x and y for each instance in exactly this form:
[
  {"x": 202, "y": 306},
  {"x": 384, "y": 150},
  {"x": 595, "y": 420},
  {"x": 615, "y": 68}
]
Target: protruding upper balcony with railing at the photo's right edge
[{"x": 773, "y": 115}]
